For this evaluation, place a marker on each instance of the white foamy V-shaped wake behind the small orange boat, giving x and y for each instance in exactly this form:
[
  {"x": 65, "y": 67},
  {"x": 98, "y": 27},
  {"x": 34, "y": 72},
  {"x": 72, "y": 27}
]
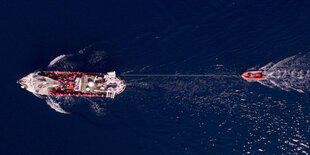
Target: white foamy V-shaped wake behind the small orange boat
[{"x": 292, "y": 73}]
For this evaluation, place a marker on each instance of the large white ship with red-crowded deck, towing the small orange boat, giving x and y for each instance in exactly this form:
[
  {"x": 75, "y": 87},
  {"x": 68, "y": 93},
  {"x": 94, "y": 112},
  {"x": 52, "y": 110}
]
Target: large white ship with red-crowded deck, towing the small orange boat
[{"x": 65, "y": 83}]
